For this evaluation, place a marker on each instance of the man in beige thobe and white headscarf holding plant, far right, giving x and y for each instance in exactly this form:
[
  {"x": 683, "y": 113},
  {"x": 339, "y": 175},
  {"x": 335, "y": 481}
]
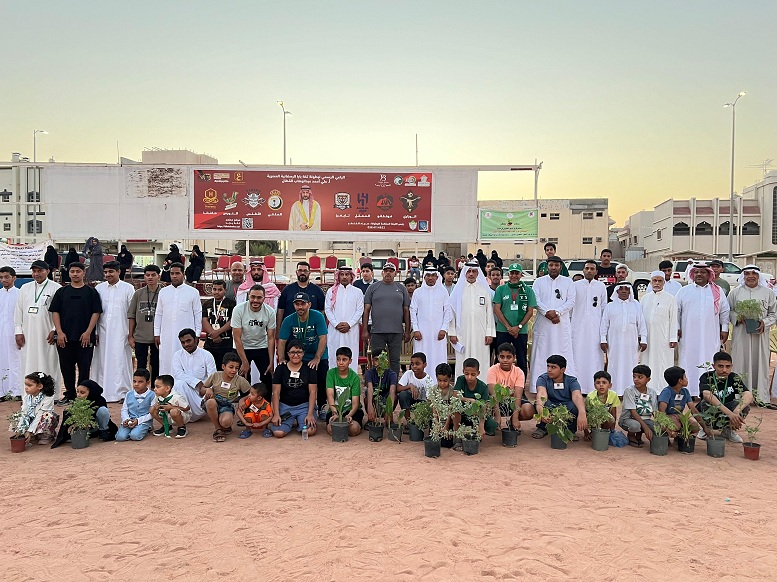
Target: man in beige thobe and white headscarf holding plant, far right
[{"x": 750, "y": 351}]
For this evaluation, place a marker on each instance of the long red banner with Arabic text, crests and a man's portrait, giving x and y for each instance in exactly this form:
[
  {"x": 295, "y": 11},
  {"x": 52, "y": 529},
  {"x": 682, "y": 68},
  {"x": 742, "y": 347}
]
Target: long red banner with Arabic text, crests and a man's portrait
[{"x": 348, "y": 202}]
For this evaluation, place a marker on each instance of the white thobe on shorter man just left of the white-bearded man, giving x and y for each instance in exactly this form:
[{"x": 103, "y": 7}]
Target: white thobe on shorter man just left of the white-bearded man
[{"x": 622, "y": 328}]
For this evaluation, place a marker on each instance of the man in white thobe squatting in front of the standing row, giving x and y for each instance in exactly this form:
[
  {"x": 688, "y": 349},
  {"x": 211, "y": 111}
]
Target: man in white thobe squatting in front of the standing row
[{"x": 191, "y": 366}]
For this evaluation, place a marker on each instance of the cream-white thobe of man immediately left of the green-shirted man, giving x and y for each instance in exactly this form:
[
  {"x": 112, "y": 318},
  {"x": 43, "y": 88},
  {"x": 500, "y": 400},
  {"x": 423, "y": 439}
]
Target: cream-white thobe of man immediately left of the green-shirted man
[{"x": 473, "y": 325}]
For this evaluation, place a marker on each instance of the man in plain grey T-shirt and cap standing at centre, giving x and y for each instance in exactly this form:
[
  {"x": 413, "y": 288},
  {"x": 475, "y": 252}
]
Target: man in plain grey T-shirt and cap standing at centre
[{"x": 389, "y": 304}]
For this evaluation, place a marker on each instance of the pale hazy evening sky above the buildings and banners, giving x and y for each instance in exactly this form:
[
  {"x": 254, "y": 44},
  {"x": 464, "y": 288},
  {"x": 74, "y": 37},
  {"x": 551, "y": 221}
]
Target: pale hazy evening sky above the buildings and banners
[{"x": 622, "y": 100}]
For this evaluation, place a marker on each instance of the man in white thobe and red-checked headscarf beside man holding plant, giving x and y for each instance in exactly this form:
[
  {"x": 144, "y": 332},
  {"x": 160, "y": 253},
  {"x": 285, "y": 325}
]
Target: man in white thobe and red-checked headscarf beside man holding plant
[{"x": 702, "y": 316}]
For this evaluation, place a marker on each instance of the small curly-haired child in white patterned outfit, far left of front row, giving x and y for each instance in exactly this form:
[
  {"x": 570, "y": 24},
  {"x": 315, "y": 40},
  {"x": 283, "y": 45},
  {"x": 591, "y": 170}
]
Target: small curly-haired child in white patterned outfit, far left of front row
[{"x": 38, "y": 420}]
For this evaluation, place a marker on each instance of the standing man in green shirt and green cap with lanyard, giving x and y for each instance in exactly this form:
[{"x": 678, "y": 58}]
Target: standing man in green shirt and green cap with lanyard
[{"x": 514, "y": 304}]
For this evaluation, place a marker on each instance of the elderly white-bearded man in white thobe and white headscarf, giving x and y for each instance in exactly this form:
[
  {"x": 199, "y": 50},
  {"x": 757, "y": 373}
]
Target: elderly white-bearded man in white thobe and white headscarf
[{"x": 660, "y": 311}]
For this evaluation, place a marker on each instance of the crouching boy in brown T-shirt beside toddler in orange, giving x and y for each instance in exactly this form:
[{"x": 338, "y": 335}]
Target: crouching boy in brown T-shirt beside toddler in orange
[{"x": 220, "y": 390}]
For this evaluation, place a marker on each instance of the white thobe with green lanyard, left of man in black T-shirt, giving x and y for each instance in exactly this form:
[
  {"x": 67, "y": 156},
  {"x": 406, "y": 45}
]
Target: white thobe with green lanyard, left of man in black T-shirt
[{"x": 37, "y": 354}]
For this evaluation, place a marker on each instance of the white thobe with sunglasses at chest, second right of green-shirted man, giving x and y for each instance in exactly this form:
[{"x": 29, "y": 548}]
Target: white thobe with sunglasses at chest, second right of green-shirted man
[{"x": 590, "y": 301}]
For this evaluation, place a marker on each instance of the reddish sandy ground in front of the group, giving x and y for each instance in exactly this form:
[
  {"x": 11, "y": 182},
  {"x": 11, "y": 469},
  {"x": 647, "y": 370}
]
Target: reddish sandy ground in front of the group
[{"x": 269, "y": 509}]
